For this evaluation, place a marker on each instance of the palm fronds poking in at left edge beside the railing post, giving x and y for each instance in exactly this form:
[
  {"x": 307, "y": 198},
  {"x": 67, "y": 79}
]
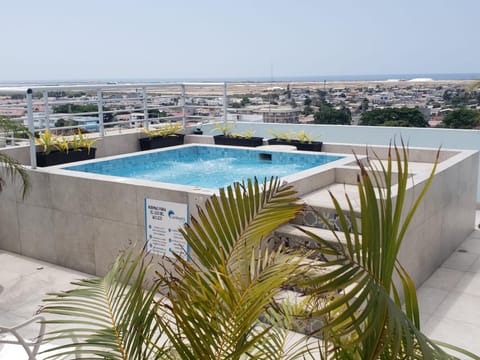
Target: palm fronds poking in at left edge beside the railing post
[{"x": 9, "y": 167}]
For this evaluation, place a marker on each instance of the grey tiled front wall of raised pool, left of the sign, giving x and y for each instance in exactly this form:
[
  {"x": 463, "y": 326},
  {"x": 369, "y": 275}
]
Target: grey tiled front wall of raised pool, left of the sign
[{"x": 79, "y": 222}]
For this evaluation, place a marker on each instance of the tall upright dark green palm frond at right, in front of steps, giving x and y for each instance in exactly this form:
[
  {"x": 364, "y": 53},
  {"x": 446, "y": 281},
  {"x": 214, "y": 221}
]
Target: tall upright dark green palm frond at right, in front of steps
[{"x": 372, "y": 324}]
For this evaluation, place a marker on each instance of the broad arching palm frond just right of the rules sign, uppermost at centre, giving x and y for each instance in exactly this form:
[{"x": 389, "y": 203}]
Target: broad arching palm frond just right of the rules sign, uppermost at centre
[{"x": 239, "y": 219}]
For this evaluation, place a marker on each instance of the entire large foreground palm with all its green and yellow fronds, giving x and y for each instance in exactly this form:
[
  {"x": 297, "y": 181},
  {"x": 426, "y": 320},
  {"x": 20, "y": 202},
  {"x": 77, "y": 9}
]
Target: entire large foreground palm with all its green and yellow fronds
[{"x": 210, "y": 306}]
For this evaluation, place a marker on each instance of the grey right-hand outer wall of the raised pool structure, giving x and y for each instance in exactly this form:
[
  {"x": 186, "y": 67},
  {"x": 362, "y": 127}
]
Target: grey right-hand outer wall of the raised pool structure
[{"x": 444, "y": 218}]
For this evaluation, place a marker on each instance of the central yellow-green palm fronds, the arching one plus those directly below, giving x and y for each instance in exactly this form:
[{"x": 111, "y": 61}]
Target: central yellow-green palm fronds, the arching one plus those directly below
[{"x": 217, "y": 299}]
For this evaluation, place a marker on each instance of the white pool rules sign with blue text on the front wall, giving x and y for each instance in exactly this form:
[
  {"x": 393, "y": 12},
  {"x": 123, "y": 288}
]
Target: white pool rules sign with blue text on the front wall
[{"x": 163, "y": 219}]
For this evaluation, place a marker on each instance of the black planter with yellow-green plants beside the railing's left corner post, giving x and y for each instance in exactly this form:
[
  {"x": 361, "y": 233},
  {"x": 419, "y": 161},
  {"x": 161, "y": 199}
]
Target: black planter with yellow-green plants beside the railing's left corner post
[{"x": 60, "y": 150}]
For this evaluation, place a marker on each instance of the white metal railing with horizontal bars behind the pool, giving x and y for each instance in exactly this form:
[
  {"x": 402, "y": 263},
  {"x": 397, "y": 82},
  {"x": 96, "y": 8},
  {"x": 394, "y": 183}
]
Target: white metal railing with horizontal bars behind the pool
[{"x": 143, "y": 104}]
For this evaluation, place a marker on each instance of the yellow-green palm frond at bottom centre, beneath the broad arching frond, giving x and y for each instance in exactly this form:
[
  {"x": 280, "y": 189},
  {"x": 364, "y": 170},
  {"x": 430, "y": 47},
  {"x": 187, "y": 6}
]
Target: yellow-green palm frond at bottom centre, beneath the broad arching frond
[{"x": 210, "y": 316}]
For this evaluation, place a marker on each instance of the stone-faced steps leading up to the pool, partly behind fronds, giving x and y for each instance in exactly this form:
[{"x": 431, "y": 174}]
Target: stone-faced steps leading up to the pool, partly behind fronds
[{"x": 291, "y": 236}]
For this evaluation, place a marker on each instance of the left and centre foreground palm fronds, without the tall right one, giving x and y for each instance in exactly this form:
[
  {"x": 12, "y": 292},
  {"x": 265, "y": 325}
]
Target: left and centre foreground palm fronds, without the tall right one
[{"x": 212, "y": 303}]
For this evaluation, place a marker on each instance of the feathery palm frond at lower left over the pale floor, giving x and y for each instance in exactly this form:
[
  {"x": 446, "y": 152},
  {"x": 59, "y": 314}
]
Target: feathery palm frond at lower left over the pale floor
[{"x": 111, "y": 316}]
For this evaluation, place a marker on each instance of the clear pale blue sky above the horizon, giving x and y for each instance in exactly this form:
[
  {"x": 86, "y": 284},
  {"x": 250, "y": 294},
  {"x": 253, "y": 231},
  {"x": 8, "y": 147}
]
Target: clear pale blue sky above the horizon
[{"x": 106, "y": 39}]
